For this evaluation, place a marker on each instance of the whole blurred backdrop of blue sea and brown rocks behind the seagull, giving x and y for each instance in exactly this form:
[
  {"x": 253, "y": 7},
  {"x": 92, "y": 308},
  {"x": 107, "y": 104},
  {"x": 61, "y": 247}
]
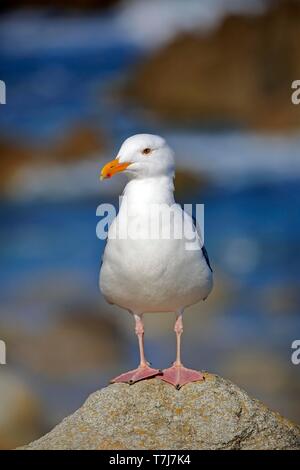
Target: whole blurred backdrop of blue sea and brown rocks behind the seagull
[{"x": 214, "y": 77}]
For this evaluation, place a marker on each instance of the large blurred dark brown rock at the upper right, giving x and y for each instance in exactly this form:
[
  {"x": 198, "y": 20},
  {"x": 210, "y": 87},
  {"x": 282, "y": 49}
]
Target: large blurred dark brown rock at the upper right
[{"x": 239, "y": 74}]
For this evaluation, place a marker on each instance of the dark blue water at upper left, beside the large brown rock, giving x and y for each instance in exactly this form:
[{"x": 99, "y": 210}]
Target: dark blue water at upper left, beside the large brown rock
[{"x": 47, "y": 93}]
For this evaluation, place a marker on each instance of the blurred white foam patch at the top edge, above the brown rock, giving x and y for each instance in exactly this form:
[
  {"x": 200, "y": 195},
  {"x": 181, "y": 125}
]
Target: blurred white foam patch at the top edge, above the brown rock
[{"x": 151, "y": 23}]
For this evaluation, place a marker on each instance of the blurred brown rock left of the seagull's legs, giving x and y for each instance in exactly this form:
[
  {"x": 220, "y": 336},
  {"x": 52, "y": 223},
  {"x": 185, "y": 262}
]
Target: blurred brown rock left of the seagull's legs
[{"x": 77, "y": 344}]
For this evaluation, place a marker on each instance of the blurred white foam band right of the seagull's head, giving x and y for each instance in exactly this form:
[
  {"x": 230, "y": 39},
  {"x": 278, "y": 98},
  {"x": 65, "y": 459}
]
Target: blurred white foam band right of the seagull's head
[{"x": 239, "y": 158}]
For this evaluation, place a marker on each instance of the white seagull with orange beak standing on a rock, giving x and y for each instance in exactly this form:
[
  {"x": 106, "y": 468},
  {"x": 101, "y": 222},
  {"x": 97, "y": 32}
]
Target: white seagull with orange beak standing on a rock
[{"x": 143, "y": 273}]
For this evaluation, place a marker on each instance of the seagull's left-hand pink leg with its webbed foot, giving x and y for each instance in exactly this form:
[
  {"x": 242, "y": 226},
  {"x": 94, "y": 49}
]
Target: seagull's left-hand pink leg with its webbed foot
[{"x": 144, "y": 371}]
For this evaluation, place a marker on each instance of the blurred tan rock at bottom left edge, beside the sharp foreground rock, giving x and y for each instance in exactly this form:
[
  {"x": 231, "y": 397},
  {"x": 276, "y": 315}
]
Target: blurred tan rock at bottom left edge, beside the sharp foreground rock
[{"x": 20, "y": 411}]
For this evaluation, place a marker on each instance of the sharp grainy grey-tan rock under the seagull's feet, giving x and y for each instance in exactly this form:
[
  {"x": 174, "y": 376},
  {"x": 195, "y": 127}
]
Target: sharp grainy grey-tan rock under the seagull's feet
[{"x": 214, "y": 414}]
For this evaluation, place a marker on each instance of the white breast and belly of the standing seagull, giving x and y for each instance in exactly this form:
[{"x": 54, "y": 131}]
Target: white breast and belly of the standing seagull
[{"x": 151, "y": 275}]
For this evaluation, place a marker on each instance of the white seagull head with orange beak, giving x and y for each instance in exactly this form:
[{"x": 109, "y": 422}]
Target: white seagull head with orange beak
[{"x": 142, "y": 156}]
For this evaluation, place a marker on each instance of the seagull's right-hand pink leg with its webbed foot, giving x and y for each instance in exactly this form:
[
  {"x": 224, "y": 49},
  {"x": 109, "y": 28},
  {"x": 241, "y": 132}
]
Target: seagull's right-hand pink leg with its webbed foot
[{"x": 178, "y": 375}]
